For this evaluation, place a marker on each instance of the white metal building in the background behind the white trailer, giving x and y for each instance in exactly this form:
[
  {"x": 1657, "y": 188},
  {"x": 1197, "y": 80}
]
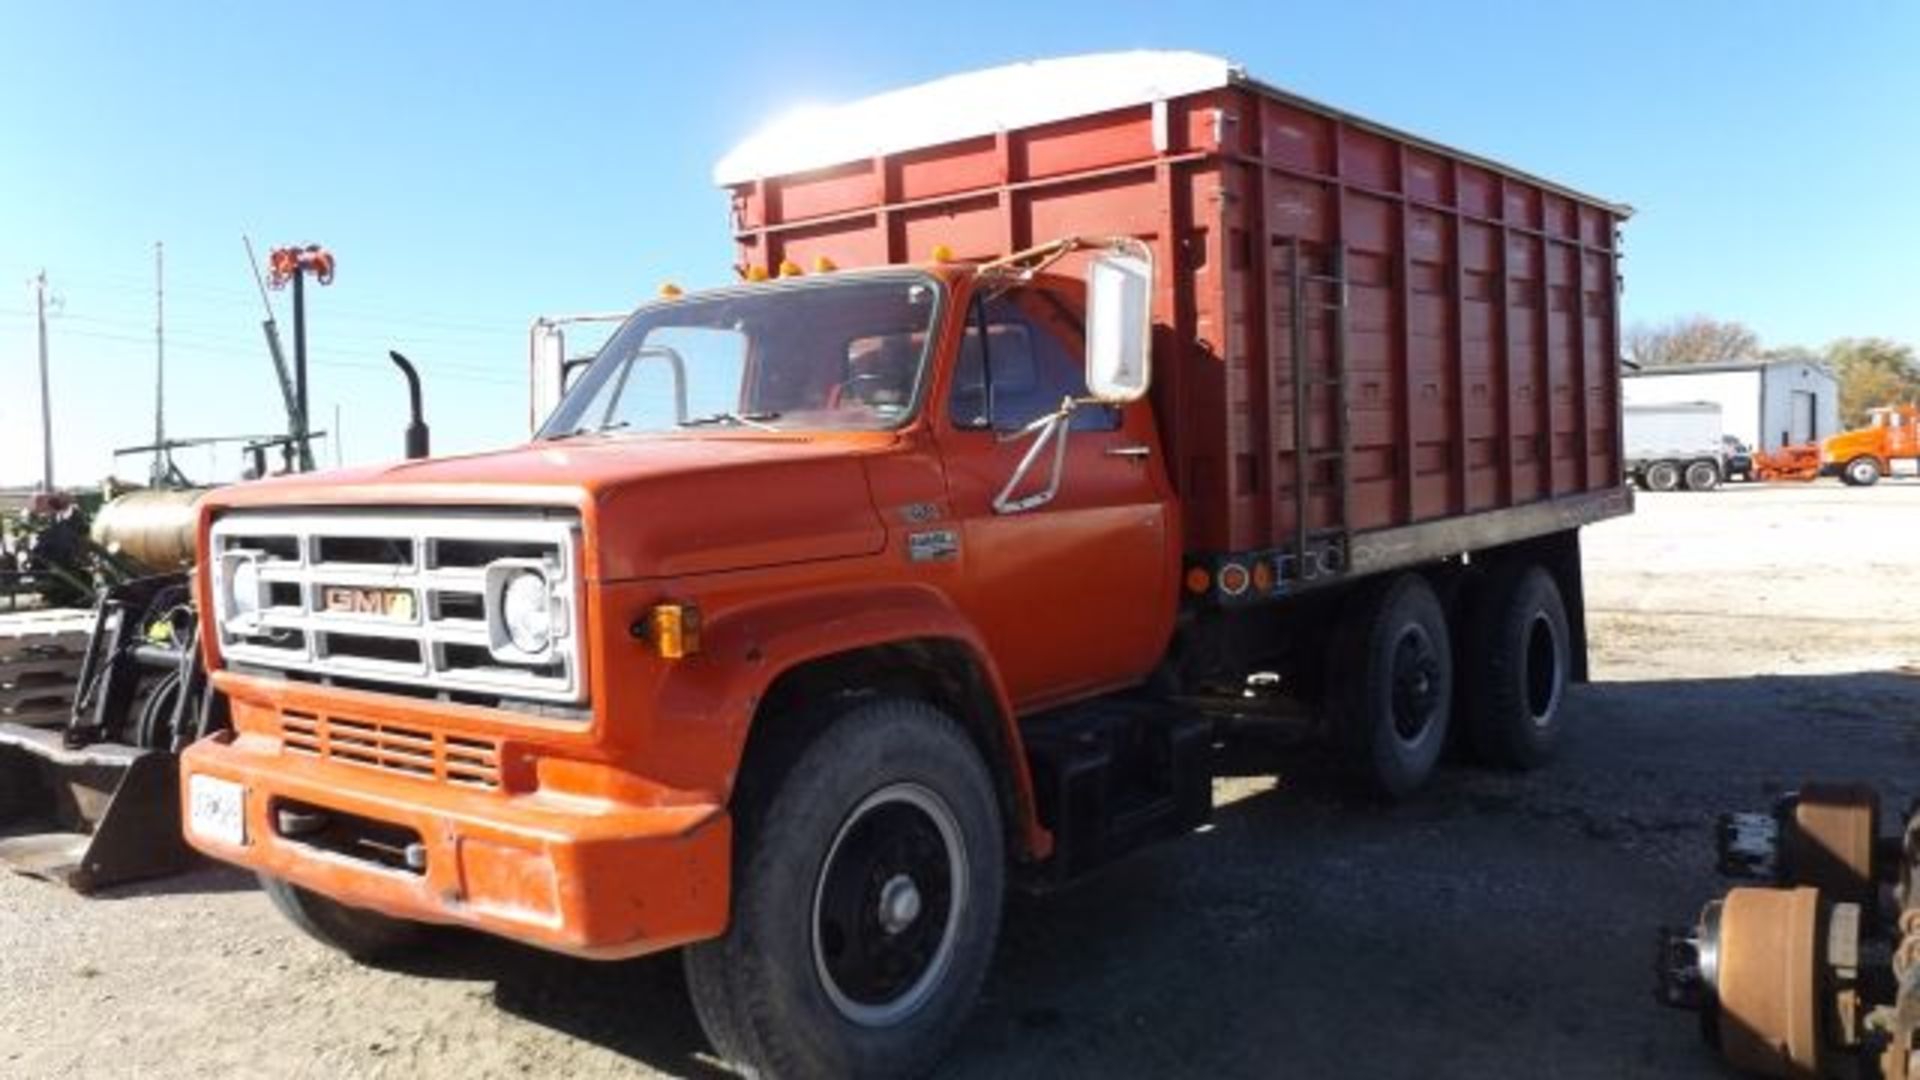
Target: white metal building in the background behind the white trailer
[{"x": 1765, "y": 405}]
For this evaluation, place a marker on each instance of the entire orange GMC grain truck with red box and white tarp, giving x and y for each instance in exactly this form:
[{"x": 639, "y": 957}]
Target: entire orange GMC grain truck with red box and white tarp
[{"x": 1076, "y": 430}]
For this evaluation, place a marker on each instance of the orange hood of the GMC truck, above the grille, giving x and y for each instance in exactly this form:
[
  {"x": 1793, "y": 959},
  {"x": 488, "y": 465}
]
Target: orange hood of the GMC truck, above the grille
[{"x": 656, "y": 506}]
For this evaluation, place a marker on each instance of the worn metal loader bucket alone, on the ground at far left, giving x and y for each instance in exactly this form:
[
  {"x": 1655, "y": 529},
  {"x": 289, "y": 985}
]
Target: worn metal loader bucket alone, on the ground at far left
[{"x": 89, "y": 818}]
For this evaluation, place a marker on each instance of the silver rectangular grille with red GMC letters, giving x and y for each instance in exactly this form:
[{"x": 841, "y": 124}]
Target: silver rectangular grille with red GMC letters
[{"x": 400, "y": 599}]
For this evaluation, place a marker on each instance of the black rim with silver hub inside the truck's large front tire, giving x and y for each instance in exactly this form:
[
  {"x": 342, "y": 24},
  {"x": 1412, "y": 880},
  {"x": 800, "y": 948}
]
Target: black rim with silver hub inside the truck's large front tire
[{"x": 886, "y": 906}]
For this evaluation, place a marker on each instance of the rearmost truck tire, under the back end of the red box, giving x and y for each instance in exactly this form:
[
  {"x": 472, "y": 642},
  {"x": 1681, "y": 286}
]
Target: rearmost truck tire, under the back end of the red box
[{"x": 1518, "y": 658}]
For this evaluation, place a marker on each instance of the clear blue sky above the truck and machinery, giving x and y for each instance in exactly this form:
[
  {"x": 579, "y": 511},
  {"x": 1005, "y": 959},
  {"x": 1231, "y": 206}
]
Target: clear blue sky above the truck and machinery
[{"x": 477, "y": 164}]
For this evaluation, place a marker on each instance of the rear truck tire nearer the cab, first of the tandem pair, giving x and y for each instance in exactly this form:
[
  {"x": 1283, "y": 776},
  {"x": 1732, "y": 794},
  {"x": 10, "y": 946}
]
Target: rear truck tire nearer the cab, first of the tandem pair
[{"x": 1391, "y": 685}]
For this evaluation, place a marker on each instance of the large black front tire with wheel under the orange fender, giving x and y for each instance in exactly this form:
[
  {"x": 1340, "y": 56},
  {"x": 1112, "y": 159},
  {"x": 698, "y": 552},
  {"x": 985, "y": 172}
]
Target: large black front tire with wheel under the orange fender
[{"x": 867, "y": 900}]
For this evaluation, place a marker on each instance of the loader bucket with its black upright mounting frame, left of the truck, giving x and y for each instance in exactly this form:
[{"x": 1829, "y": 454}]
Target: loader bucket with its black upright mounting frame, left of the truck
[{"x": 97, "y": 802}]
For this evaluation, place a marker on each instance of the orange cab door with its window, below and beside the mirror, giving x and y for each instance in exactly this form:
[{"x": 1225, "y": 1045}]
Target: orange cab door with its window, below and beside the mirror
[{"x": 1078, "y": 593}]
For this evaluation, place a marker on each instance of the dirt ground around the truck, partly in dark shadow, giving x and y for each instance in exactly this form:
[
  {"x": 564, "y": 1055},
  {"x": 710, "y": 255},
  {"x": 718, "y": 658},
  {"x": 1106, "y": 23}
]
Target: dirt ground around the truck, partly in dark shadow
[{"x": 1495, "y": 927}]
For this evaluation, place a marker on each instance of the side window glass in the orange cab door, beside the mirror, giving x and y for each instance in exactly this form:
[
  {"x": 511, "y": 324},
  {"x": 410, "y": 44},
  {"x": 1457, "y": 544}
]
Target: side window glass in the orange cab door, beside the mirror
[{"x": 1030, "y": 366}]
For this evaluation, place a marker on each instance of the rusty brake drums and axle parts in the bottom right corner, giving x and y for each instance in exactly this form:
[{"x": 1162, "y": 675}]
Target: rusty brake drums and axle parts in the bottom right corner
[{"x": 1815, "y": 970}]
